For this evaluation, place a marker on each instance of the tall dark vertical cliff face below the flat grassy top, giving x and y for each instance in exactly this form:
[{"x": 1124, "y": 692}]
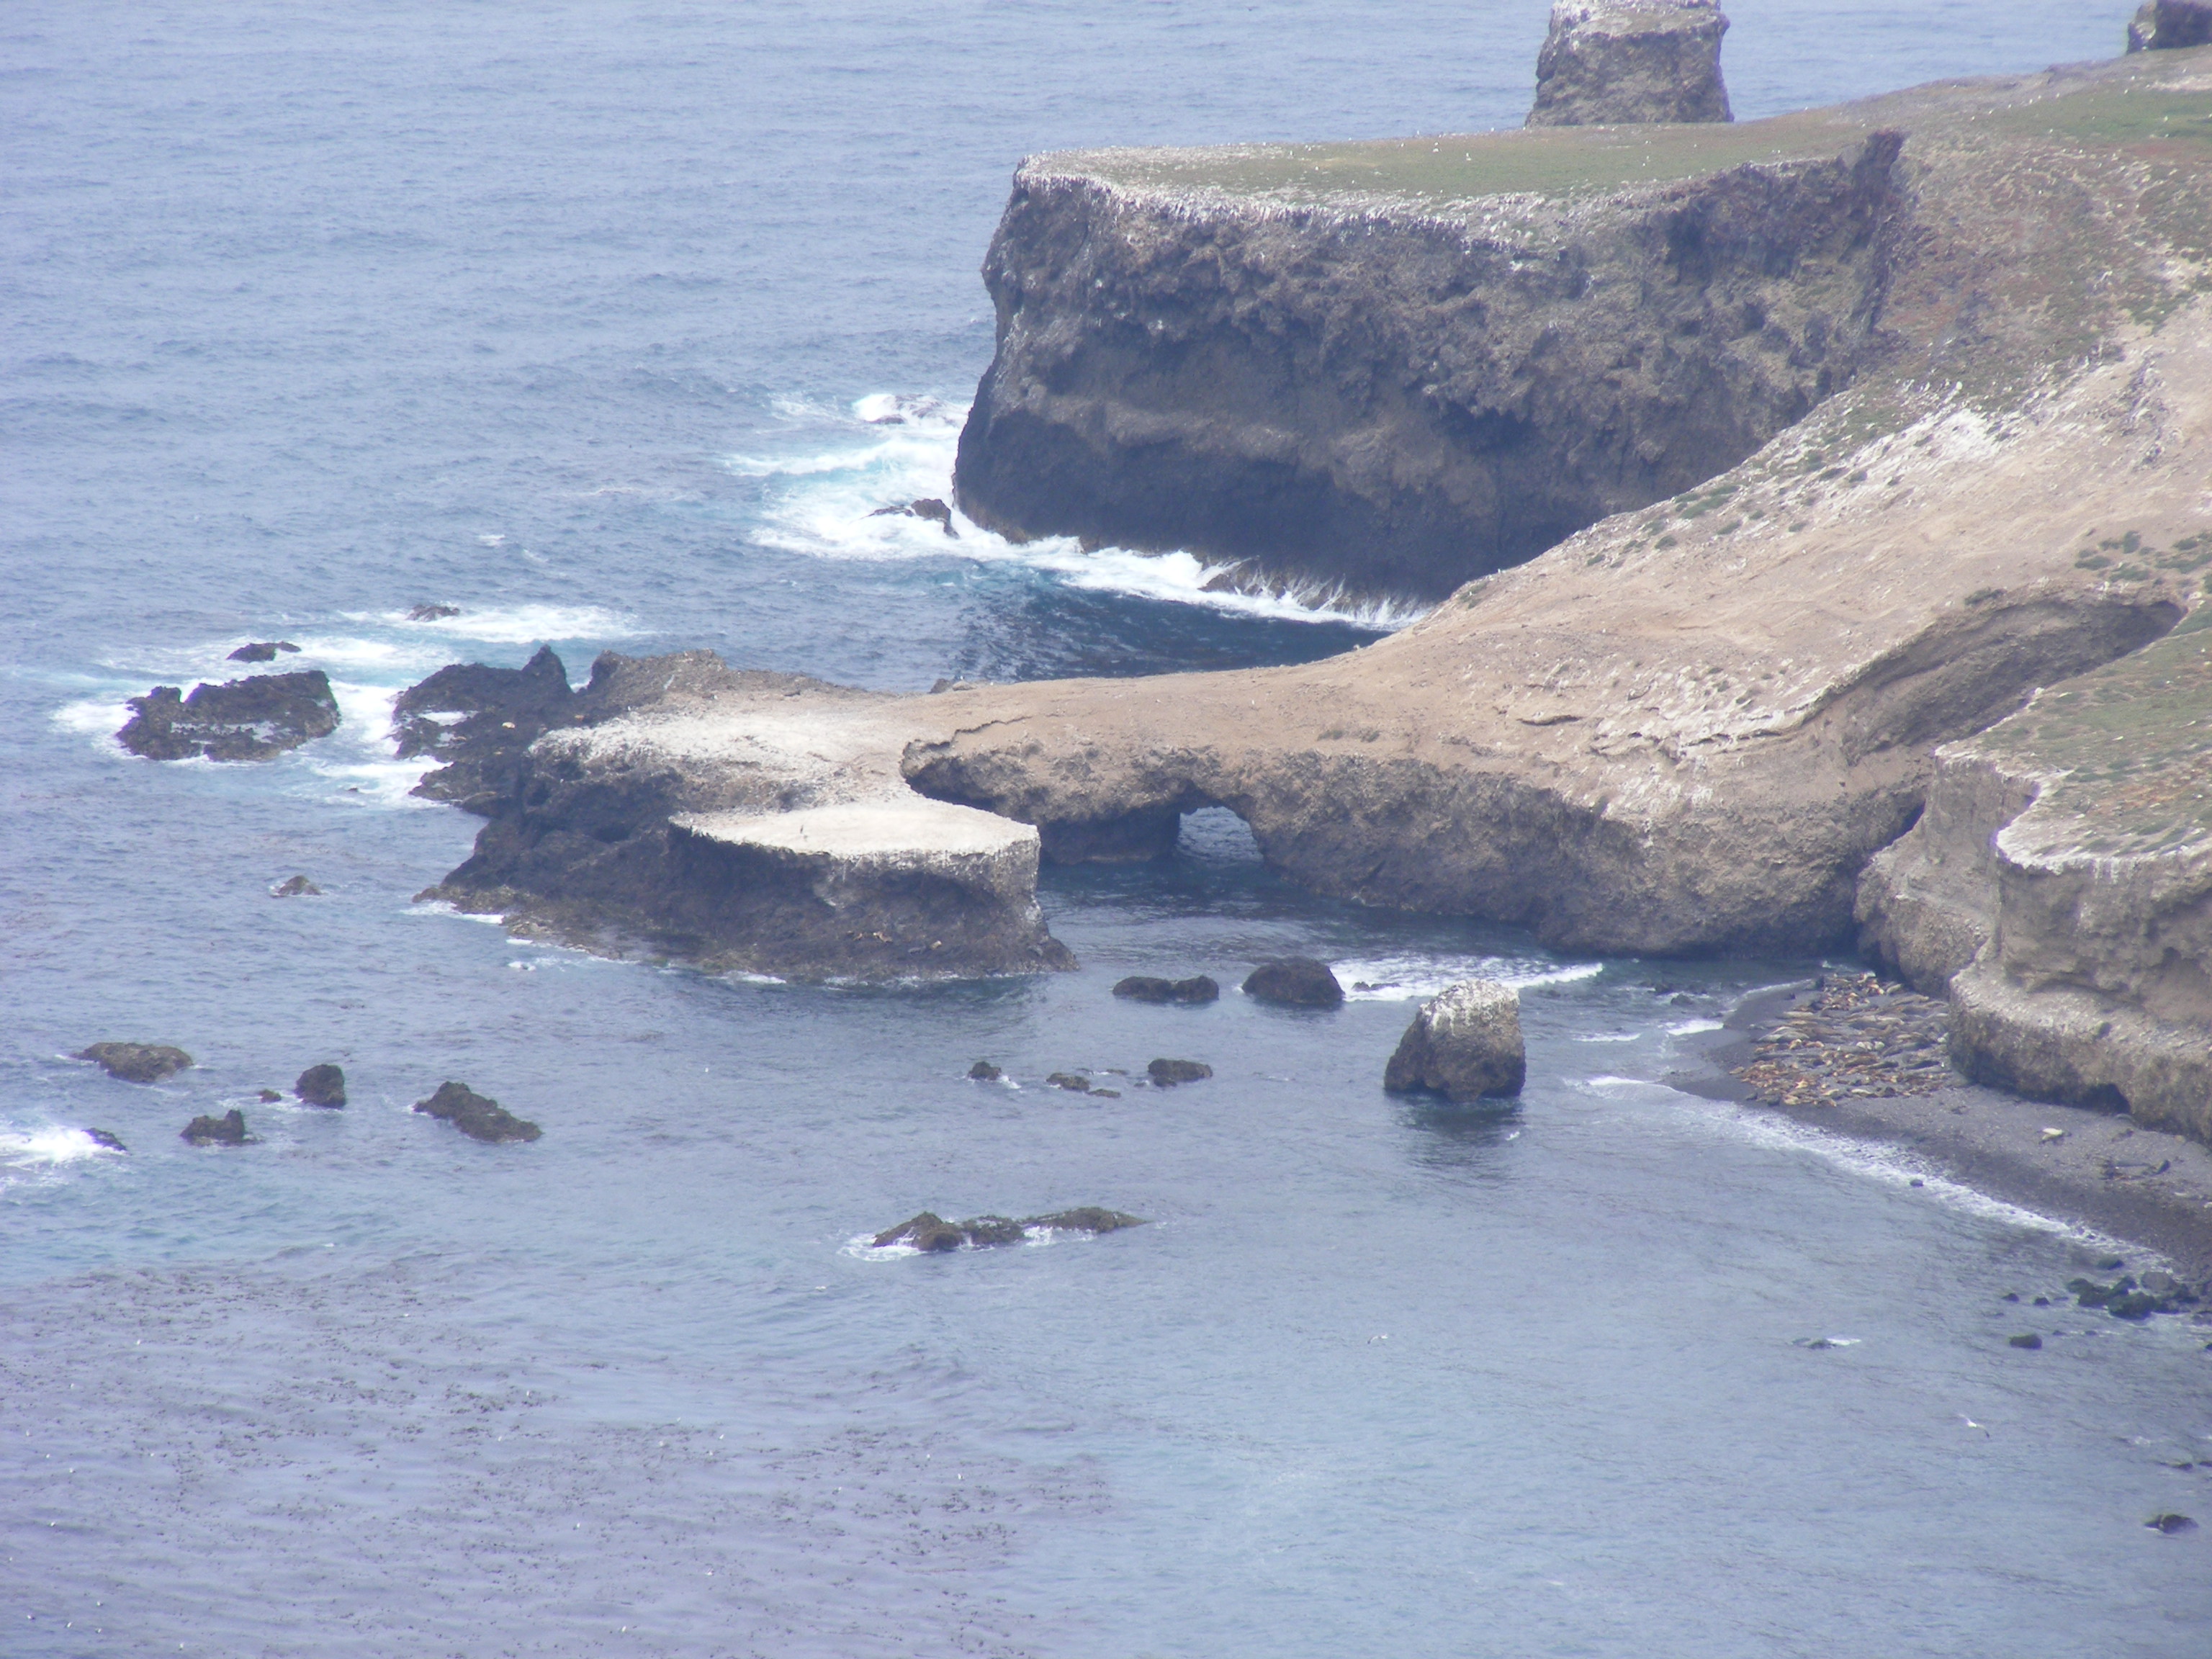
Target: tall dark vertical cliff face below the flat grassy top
[{"x": 1386, "y": 395}]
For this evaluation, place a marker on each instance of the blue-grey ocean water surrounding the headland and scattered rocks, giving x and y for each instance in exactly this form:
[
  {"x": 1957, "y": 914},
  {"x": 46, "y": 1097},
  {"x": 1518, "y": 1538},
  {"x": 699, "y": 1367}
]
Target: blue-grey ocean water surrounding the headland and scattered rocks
[{"x": 589, "y": 320}]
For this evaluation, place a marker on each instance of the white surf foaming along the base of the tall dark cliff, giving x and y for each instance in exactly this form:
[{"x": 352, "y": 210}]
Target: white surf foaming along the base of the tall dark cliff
[{"x": 895, "y": 450}]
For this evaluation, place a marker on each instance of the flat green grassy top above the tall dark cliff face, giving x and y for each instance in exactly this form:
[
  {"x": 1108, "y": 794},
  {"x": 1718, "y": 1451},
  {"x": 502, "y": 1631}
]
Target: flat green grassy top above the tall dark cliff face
[{"x": 2131, "y": 103}]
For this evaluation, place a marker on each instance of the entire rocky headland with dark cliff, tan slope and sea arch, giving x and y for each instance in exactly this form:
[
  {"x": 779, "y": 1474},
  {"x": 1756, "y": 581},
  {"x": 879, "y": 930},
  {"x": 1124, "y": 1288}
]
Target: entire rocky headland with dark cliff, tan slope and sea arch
[{"x": 1861, "y": 461}]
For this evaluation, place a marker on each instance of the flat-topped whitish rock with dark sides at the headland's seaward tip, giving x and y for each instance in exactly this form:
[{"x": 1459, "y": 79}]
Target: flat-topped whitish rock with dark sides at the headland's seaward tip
[{"x": 738, "y": 820}]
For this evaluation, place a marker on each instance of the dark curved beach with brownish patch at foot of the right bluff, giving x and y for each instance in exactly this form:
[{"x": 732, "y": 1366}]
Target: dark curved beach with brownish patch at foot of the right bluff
[{"x": 1996, "y": 1145}]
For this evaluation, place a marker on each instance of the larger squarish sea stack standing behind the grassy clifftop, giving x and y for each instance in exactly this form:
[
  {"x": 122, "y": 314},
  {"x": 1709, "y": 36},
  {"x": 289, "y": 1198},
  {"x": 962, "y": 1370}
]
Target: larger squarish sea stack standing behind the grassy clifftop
[{"x": 1609, "y": 63}]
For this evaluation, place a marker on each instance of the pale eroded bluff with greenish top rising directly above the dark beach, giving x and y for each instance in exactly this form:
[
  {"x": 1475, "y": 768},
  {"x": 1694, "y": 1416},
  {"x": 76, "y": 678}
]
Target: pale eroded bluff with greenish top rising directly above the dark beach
[{"x": 2060, "y": 884}]
